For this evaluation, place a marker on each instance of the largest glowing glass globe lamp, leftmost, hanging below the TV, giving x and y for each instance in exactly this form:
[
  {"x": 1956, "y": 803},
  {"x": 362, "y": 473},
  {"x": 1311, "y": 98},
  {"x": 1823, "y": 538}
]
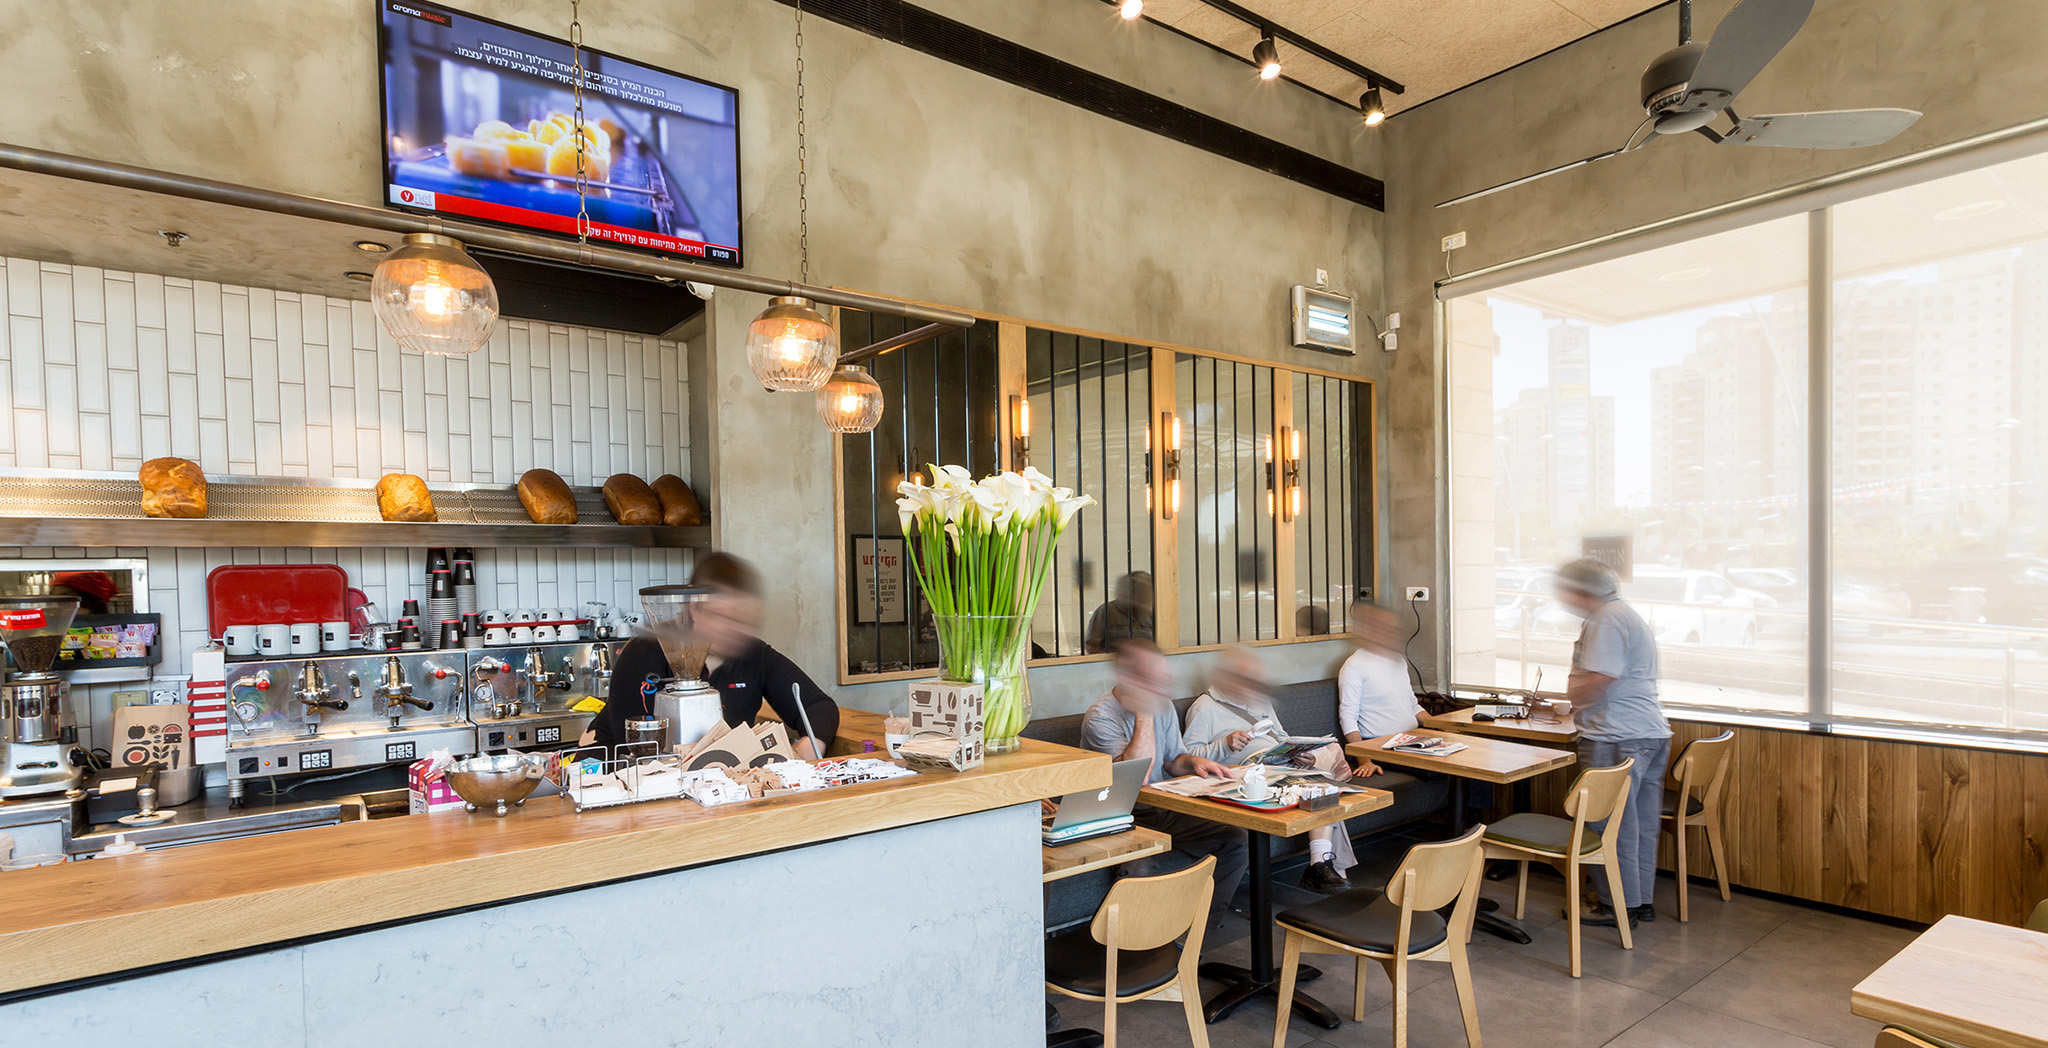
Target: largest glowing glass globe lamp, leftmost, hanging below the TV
[{"x": 433, "y": 298}]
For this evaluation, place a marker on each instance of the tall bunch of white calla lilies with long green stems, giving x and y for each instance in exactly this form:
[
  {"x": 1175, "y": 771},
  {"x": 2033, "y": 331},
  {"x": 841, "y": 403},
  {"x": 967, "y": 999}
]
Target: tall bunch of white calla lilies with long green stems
[{"x": 982, "y": 554}]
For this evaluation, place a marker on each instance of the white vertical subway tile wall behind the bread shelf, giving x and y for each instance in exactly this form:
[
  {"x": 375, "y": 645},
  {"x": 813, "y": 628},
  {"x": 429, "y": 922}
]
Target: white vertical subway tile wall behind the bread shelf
[{"x": 103, "y": 369}]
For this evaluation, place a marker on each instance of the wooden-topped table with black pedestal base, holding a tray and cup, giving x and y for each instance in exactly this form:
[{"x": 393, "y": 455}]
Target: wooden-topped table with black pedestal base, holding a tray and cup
[{"x": 1263, "y": 979}]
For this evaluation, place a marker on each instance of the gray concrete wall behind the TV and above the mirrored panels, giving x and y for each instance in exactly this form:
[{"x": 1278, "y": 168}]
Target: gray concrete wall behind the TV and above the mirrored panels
[{"x": 929, "y": 181}]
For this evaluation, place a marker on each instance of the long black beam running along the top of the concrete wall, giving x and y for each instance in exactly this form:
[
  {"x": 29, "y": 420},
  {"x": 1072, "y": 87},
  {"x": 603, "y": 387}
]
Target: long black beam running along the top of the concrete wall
[{"x": 1015, "y": 64}]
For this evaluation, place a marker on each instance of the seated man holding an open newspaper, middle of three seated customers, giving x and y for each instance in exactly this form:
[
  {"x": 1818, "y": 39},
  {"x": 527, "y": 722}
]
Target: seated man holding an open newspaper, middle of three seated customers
[{"x": 1220, "y": 728}]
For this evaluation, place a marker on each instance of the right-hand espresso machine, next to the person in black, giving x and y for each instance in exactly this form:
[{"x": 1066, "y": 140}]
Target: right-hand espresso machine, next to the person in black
[{"x": 527, "y": 697}]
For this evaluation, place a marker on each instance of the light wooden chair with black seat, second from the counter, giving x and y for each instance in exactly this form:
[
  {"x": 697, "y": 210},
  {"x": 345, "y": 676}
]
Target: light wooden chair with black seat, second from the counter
[{"x": 1394, "y": 928}]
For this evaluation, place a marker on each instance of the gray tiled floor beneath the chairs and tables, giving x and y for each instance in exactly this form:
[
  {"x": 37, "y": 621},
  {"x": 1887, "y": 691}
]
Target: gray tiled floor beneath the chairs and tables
[{"x": 1750, "y": 973}]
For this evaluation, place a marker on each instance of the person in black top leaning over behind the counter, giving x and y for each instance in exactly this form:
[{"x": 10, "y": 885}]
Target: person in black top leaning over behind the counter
[{"x": 742, "y": 668}]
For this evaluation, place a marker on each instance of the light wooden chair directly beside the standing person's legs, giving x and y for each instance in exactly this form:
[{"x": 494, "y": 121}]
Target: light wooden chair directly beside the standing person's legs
[{"x": 1601, "y": 793}]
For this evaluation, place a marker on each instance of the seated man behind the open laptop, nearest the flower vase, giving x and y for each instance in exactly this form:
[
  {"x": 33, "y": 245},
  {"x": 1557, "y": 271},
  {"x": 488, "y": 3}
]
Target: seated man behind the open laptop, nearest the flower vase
[{"x": 1138, "y": 722}]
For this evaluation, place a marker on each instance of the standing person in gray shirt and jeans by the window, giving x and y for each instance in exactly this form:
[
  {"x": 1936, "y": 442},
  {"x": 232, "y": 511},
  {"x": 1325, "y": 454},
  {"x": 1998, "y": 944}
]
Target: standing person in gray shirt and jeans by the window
[{"x": 1613, "y": 695}]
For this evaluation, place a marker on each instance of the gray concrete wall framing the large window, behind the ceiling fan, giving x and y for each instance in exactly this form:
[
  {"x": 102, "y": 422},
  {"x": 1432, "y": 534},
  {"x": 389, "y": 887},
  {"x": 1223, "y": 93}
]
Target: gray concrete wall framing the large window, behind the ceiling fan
[{"x": 1971, "y": 69}]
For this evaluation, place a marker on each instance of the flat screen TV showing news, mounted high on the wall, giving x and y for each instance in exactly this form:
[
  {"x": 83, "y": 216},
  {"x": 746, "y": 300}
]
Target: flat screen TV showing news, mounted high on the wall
[{"x": 478, "y": 124}]
